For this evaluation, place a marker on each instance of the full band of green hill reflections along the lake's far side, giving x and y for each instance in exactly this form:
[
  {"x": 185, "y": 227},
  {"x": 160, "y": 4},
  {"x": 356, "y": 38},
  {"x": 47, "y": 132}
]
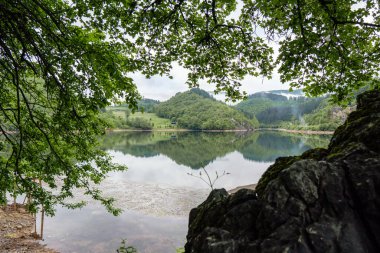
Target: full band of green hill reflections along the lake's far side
[{"x": 197, "y": 149}]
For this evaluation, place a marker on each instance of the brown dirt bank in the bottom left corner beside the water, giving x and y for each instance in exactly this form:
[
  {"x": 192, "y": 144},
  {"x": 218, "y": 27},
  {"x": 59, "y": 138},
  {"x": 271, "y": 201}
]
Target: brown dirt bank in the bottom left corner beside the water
[{"x": 17, "y": 232}]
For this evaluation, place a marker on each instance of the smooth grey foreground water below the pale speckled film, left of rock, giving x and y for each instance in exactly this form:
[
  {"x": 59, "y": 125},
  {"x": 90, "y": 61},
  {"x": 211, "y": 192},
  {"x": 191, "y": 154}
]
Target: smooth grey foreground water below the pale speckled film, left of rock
[{"x": 93, "y": 230}]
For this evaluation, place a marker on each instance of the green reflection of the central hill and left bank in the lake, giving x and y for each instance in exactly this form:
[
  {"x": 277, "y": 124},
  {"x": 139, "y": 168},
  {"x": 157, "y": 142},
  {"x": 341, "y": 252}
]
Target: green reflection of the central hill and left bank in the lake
[{"x": 192, "y": 149}]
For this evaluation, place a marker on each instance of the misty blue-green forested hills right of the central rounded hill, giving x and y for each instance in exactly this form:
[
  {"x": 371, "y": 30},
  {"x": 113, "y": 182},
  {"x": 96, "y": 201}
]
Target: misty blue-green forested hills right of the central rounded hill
[{"x": 291, "y": 110}]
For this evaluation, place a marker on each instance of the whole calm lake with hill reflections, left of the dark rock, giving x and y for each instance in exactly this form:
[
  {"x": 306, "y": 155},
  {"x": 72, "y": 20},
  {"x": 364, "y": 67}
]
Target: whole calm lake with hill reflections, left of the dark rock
[{"x": 168, "y": 174}]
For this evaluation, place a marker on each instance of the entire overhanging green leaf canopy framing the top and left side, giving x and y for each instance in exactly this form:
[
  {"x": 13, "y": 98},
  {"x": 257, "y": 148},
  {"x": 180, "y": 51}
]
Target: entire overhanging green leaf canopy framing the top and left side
[{"x": 62, "y": 61}]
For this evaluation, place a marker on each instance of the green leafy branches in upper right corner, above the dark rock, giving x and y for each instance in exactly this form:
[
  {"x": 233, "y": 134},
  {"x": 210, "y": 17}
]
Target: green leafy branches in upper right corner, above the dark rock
[{"x": 326, "y": 46}]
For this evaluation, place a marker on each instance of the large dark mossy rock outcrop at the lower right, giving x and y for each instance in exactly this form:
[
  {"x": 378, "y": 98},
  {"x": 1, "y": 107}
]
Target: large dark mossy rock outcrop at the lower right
[{"x": 326, "y": 200}]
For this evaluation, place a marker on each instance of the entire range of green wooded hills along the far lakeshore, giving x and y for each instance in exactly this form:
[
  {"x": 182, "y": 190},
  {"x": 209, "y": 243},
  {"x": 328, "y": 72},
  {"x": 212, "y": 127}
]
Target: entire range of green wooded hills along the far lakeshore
[{"x": 198, "y": 110}]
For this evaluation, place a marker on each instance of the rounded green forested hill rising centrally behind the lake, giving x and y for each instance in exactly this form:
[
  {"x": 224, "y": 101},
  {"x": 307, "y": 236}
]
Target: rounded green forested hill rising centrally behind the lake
[{"x": 196, "y": 109}]
